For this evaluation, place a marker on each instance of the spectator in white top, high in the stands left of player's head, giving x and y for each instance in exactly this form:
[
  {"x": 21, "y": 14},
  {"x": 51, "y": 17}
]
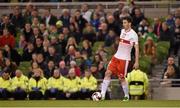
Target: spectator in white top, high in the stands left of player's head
[{"x": 86, "y": 12}]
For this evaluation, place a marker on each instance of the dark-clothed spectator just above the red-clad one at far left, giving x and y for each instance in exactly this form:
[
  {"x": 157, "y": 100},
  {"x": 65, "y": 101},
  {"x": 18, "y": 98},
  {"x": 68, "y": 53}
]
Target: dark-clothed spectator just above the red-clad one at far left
[{"x": 6, "y": 24}]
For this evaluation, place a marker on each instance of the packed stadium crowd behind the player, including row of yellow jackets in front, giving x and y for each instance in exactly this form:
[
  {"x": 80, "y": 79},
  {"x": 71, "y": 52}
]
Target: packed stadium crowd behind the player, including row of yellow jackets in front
[{"x": 64, "y": 64}]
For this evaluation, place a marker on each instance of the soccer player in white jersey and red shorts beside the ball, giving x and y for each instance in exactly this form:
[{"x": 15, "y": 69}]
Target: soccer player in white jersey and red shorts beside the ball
[{"x": 119, "y": 62}]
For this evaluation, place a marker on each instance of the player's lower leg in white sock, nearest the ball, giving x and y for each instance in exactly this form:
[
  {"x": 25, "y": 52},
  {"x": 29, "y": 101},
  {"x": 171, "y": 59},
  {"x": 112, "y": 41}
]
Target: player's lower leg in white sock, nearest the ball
[{"x": 105, "y": 83}]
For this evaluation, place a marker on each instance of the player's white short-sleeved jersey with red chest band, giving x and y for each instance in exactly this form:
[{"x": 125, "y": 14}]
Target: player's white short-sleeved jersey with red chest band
[{"x": 127, "y": 41}]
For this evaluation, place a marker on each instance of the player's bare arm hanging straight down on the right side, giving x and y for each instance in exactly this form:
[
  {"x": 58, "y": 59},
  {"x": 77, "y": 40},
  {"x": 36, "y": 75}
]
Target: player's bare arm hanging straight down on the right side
[{"x": 136, "y": 64}]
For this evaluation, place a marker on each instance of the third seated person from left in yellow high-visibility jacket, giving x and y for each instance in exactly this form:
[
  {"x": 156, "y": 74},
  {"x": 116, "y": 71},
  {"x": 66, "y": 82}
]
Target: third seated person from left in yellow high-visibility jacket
[{"x": 37, "y": 85}]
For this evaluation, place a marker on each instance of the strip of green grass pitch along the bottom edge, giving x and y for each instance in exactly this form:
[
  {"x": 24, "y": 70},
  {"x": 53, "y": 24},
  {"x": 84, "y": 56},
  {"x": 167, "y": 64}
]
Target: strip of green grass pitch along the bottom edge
[{"x": 83, "y": 103}]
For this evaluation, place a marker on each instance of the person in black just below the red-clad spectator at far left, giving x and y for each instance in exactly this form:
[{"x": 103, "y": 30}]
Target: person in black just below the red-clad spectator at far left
[{"x": 12, "y": 54}]
